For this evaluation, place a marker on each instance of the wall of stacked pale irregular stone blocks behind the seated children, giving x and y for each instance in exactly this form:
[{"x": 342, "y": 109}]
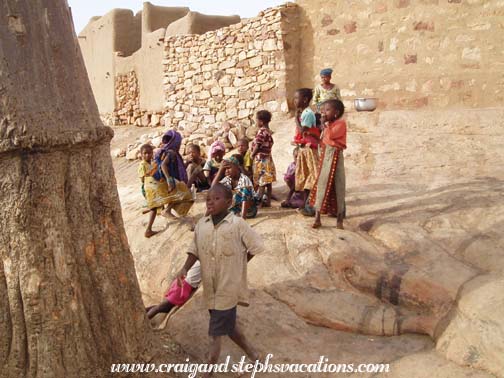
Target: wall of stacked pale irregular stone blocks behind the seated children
[{"x": 217, "y": 81}]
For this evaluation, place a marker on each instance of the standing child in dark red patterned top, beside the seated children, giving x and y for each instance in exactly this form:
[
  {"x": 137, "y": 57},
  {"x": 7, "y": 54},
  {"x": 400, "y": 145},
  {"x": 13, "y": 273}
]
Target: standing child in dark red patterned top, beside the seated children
[{"x": 263, "y": 165}]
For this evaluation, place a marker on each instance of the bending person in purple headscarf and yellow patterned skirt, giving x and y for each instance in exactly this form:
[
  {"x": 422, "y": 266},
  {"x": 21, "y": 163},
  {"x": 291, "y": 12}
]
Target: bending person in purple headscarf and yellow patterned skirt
[{"x": 169, "y": 187}]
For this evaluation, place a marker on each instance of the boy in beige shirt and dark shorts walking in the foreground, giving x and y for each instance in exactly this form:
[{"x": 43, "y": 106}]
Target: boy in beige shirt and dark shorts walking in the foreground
[{"x": 223, "y": 243}]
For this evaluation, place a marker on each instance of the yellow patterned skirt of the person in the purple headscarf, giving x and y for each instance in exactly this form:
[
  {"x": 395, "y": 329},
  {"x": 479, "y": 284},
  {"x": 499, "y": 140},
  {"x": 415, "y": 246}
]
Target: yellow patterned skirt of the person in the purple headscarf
[{"x": 157, "y": 195}]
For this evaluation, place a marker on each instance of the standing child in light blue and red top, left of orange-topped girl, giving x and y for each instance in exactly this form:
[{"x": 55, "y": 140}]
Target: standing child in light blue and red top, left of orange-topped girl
[{"x": 307, "y": 139}]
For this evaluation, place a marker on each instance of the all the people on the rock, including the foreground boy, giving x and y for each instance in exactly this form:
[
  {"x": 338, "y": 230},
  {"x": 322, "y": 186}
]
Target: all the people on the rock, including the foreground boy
[{"x": 223, "y": 242}]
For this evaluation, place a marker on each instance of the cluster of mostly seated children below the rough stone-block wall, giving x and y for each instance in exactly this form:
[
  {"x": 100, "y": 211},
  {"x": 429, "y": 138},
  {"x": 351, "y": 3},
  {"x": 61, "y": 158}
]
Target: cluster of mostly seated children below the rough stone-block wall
[{"x": 249, "y": 174}]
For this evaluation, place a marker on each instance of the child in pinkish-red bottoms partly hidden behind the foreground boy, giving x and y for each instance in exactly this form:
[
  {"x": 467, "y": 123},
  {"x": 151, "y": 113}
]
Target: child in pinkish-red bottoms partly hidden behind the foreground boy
[{"x": 178, "y": 295}]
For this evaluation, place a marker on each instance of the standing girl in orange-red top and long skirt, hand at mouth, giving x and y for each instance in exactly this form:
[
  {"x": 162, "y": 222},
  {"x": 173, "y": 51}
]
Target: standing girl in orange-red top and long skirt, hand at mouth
[{"x": 328, "y": 196}]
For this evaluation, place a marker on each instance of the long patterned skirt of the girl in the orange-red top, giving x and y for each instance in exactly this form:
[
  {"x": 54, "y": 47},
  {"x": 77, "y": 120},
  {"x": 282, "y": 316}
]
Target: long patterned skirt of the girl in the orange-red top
[{"x": 328, "y": 195}]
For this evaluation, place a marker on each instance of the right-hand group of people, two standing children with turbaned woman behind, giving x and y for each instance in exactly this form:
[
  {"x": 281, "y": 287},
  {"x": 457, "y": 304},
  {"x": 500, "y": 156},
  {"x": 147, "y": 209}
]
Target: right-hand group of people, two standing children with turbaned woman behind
[{"x": 320, "y": 138}]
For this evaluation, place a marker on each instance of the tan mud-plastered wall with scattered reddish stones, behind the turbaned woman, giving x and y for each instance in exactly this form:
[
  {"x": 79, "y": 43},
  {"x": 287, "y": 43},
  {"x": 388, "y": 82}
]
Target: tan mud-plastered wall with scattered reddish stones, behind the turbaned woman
[{"x": 408, "y": 53}]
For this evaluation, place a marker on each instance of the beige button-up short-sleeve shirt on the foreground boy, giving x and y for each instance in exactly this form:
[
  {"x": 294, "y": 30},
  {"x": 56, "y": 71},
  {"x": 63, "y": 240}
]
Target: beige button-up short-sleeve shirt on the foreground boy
[{"x": 222, "y": 252}]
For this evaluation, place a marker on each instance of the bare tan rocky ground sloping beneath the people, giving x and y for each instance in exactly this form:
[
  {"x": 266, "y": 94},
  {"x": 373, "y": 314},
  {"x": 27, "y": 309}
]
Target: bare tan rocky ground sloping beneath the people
[{"x": 415, "y": 279}]
